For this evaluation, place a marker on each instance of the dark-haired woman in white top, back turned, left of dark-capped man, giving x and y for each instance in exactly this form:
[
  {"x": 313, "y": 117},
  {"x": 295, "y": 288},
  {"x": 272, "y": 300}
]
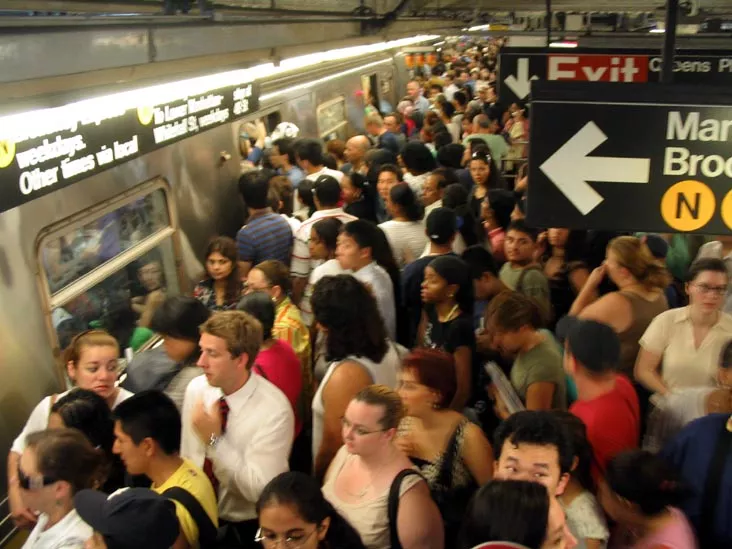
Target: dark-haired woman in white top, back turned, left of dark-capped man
[{"x": 405, "y": 231}]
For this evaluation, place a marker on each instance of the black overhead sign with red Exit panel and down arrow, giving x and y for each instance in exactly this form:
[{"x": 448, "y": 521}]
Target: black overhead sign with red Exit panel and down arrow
[{"x": 518, "y": 67}]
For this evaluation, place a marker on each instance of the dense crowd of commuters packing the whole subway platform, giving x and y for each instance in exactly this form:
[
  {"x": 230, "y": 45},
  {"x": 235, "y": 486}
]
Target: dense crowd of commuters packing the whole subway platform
[{"x": 388, "y": 355}]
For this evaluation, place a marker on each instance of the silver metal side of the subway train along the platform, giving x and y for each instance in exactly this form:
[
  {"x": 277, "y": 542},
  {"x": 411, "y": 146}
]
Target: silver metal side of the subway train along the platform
[{"x": 198, "y": 184}]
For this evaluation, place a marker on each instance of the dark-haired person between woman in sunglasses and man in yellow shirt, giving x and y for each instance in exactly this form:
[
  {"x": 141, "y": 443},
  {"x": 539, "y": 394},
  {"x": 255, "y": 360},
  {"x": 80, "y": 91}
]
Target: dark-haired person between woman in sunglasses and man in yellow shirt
[{"x": 87, "y": 412}]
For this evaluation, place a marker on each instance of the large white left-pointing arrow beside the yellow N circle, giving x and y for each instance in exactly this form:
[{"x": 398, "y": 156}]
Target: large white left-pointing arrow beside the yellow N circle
[{"x": 570, "y": 168}]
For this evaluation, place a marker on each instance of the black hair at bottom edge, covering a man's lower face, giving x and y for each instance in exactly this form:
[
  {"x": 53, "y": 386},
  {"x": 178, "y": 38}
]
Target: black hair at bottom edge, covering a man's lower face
[{"x": 515, "y": 511}]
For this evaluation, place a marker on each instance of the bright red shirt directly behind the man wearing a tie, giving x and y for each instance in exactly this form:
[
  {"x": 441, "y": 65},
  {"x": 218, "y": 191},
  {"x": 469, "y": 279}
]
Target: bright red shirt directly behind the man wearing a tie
[{"x": 280, "y": 366}]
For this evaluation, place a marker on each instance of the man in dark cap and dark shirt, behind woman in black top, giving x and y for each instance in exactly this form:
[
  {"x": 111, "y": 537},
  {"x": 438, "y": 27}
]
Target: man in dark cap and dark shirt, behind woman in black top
[{"x": 441, "y": 228}]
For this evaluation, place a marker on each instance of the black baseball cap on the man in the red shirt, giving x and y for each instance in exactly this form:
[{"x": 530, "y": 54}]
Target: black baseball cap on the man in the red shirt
[{"x": 593, "y": 344}]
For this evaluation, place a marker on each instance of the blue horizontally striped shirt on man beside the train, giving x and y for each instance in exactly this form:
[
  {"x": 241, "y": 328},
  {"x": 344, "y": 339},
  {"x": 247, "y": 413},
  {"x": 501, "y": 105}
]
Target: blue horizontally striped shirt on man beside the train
[{"x": 265, "y": 236}]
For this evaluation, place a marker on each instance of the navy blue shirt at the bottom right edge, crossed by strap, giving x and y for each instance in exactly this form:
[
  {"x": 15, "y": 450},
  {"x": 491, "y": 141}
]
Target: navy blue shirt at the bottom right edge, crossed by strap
[{"x": 691, "y": 453}]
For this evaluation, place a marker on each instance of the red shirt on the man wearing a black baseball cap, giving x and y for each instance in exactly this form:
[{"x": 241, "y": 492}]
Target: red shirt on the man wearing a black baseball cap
[{"x": 612, "y": 421}]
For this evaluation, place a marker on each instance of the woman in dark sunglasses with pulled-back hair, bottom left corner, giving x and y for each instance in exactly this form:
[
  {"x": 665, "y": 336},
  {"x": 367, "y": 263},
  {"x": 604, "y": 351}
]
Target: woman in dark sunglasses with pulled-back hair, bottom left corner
[{"x": 54, "y": 466}]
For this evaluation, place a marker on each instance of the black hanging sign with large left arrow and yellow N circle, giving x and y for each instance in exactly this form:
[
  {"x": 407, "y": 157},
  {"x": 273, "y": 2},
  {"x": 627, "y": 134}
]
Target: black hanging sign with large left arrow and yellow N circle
[{"x": 629, "y": 157}]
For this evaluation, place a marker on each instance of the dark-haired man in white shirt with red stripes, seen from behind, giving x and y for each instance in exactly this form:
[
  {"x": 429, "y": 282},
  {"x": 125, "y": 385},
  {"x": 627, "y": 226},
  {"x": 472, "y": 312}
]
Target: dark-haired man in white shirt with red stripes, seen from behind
[{"x": 327, "y": 194}]
